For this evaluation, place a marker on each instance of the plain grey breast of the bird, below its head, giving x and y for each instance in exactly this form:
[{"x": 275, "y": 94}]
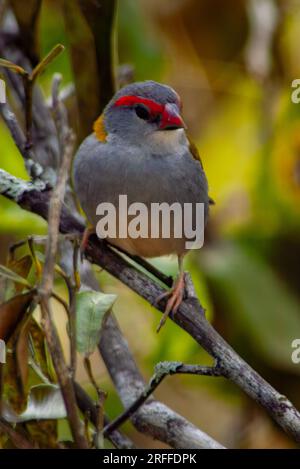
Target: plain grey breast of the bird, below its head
[{"x": 103, "y": 171}]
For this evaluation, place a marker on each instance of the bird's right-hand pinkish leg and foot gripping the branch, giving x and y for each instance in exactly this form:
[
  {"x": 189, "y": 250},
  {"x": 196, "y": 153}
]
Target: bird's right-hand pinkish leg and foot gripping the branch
[{"x": 175, "y": 295}]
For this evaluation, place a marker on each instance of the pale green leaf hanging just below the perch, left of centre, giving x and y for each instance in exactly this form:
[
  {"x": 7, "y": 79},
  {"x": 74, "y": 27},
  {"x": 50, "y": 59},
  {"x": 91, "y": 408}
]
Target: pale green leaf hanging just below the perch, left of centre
[{"x": 91, "y": 310}]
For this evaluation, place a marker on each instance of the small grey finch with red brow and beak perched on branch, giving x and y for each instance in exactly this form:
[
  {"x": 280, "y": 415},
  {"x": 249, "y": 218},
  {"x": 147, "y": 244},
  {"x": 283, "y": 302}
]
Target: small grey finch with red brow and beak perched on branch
[{"x": 139, "y": 147}]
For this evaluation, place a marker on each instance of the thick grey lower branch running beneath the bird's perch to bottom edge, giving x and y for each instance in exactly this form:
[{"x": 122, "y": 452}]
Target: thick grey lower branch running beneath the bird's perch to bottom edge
[{"x": 153, "y": 418}]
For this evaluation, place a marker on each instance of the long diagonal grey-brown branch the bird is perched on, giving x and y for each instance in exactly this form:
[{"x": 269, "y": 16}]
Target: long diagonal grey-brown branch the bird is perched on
[{"x": 189, "y": 317}]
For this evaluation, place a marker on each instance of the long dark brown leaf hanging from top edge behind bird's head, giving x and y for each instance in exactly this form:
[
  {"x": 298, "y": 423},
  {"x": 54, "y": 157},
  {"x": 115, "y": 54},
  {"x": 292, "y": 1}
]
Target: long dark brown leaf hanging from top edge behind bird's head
[{"x": 89, "y": 26}]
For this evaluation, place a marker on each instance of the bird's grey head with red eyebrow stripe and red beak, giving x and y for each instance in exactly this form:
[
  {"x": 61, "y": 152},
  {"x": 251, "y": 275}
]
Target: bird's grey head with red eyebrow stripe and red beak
[{"x": 141, "y": 109}]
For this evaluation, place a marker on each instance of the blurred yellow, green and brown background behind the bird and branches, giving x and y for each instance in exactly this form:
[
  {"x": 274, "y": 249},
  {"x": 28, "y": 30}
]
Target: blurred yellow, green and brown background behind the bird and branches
[{"x": 233, "y": 64}]
